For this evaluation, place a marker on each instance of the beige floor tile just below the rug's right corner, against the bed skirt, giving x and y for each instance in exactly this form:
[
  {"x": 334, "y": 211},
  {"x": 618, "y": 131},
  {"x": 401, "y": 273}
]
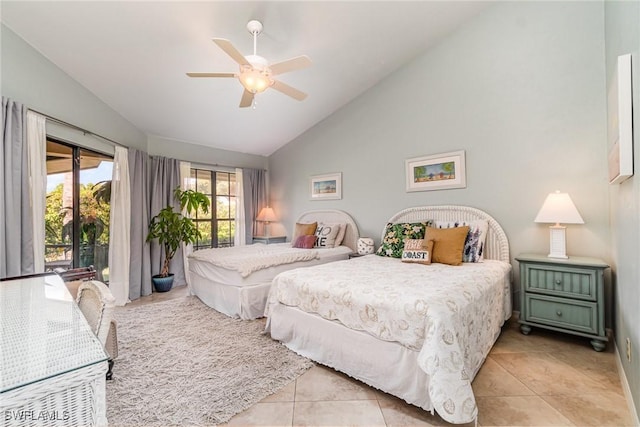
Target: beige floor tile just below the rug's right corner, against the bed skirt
[{"x": 322, "y": 383}]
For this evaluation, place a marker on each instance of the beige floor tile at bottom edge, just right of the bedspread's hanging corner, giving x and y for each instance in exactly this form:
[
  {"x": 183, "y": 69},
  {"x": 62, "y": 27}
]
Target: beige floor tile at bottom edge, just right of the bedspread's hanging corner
[{"x": 518, "y": 411}]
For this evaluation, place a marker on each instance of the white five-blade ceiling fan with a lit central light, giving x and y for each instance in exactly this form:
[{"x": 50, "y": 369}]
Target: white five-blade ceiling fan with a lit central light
[{"x": 256, "y": 74}]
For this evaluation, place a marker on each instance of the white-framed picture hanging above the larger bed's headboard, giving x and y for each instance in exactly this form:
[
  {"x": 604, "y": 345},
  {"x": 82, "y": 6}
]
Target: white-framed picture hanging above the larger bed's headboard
[{"x": 437, "y": 172}]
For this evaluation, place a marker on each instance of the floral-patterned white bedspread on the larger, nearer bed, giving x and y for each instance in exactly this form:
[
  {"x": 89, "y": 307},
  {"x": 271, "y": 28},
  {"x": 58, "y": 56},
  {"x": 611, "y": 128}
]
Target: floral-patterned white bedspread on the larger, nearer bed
[{"x": 450, "y": 315}]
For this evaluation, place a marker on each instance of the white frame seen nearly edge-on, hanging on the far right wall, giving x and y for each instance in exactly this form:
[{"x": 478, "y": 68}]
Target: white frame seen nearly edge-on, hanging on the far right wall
[{"x": 620, "y": 123}]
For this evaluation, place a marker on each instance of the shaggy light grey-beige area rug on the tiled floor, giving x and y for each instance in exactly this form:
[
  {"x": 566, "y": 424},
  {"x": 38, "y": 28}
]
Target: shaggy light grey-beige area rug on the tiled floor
[{"x": 182, "y": 363}]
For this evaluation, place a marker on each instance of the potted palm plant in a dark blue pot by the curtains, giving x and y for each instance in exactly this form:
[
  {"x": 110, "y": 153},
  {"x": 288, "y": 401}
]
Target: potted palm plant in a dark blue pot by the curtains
[{"x": 171, "y": 228}]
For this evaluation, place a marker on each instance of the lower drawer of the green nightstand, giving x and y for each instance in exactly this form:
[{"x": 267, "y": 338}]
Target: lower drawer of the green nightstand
[{"x": 577, "y": 315}]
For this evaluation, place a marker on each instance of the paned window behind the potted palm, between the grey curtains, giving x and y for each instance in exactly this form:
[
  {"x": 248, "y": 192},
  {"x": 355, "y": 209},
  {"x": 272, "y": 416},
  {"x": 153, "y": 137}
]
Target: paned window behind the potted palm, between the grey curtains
[{"x": 217, "y": 226}]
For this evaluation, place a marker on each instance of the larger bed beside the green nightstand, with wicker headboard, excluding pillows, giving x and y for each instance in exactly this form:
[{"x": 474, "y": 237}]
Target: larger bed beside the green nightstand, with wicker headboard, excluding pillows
[{"x": 419, "y": 332}]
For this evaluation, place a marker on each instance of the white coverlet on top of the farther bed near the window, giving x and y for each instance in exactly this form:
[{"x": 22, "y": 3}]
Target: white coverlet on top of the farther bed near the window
[{"x": 247, "y": 259}]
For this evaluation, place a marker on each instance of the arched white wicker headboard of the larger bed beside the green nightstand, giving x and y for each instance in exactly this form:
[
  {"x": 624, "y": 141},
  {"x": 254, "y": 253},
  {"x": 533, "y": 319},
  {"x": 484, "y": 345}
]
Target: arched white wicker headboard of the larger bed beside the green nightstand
[{"x": 496, "y": 245}]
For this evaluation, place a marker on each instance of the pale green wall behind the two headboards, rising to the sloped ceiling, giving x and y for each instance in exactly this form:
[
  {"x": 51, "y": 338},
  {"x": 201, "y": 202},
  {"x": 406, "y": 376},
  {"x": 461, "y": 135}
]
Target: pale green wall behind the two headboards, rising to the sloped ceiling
[{"x": 520, "y": 88}]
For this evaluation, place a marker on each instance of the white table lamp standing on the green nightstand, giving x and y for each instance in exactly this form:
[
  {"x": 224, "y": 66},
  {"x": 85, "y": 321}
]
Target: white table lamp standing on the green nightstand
[{"x": 558, "y": 208}]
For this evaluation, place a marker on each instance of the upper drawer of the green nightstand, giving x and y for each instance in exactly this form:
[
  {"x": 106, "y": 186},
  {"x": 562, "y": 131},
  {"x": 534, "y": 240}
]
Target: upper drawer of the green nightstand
[{"x": 561, "y": 281}]
